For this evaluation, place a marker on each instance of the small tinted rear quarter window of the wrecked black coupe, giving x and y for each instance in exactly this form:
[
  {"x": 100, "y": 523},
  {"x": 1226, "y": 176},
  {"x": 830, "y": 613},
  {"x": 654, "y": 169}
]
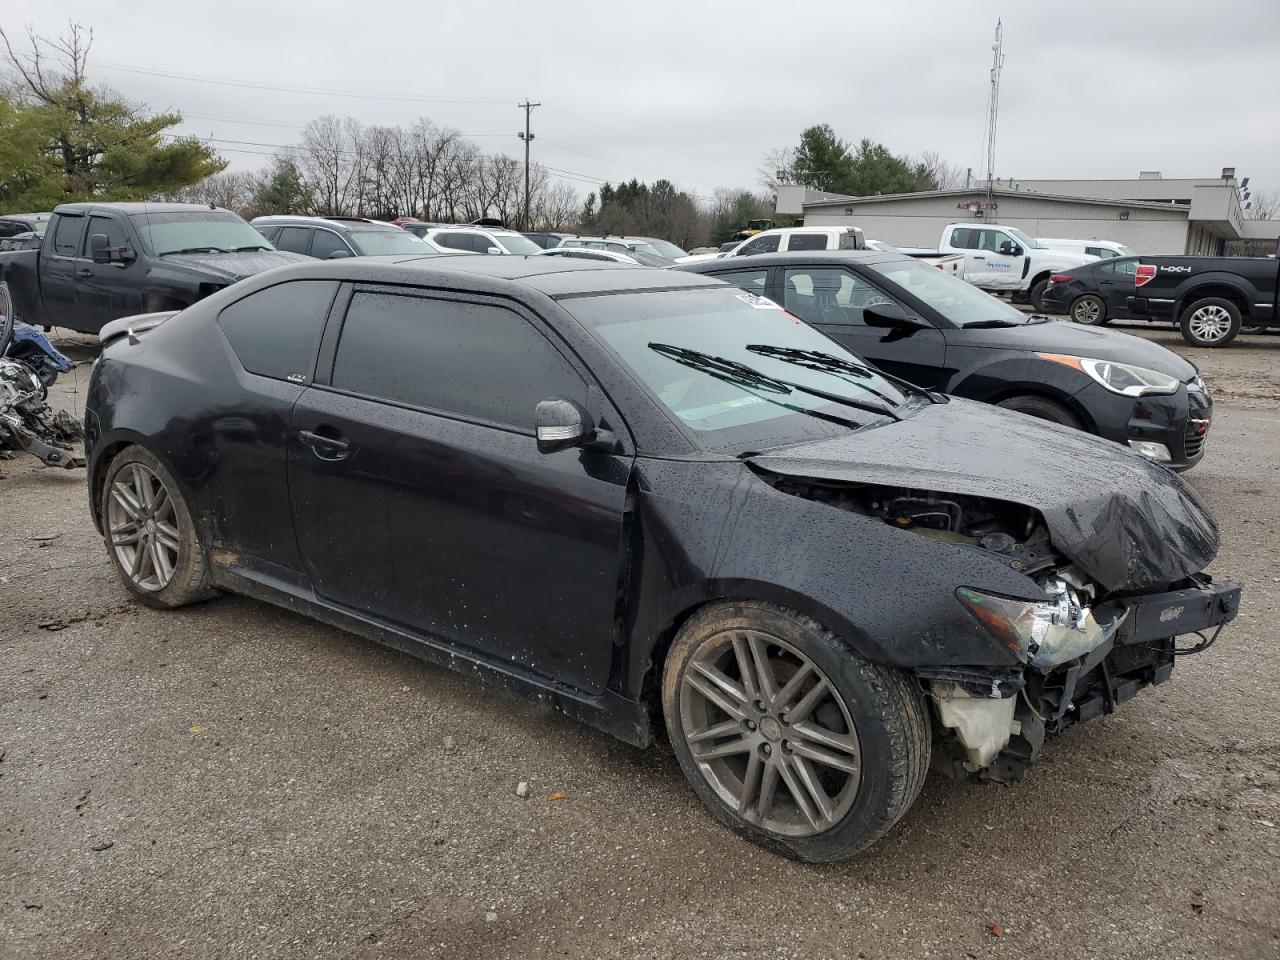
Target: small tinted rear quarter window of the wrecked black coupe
[{"x": 276, "y": 332}]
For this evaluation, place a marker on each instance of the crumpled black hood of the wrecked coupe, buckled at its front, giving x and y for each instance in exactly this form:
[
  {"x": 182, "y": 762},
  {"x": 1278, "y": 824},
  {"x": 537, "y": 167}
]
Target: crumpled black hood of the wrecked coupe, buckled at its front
[{"x": 1126, "y": 522}]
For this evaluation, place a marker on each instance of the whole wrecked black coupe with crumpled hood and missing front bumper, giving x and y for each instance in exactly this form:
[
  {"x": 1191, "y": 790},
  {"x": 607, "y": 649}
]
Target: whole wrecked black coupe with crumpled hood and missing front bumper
[{"x": 652, "y": 499}]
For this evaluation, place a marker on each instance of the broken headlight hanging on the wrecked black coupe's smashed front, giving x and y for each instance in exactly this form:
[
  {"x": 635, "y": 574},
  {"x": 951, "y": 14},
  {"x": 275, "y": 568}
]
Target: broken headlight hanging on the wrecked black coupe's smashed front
[{"x": 1044, "y": 634}]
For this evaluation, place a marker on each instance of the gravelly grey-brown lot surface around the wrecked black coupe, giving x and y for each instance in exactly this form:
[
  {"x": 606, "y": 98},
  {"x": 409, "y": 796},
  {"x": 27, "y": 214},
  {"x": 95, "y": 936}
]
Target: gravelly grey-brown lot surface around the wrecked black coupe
[{"x": 234, "y": 781}]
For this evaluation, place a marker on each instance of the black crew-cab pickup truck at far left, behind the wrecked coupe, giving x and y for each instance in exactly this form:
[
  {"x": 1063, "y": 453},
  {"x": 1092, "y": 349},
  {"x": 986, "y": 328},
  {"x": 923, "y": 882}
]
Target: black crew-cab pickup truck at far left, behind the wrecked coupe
[{"x": 103, "y": 262}]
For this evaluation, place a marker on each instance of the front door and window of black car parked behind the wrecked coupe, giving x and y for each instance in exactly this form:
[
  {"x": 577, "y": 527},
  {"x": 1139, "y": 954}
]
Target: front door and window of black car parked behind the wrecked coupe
[{"x": 833, "y": 299}]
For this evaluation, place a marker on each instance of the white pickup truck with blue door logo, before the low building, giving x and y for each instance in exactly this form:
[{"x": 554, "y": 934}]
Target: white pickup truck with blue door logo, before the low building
[{"x": 1004, "y": 259}]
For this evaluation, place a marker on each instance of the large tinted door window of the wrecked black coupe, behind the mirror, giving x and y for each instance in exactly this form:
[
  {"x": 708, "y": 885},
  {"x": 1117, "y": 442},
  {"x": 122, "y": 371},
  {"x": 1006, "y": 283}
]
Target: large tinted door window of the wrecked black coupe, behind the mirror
[{"x": 473, "y": 360}]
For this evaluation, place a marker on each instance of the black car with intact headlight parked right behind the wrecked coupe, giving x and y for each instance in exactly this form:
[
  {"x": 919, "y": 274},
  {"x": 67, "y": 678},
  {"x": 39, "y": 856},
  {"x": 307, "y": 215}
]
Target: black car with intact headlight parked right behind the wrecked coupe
[{"x": 927, "y": 327}]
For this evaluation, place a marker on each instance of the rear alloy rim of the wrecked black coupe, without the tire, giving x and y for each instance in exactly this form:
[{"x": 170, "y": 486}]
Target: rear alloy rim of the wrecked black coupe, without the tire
[{"x": 143, "y": 528}]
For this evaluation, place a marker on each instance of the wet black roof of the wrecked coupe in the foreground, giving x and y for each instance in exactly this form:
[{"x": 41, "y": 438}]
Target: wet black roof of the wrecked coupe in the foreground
[{"x": 555, "y": 277}]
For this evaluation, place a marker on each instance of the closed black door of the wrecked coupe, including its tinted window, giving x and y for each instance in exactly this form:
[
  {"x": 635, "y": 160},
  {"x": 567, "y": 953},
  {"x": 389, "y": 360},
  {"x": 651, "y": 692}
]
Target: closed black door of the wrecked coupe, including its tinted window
[{"x": 419, "y": 493}]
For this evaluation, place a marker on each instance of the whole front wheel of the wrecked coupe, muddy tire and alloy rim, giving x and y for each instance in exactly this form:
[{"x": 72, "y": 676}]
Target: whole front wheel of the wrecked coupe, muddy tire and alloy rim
[{"x": 788, "y": 735}]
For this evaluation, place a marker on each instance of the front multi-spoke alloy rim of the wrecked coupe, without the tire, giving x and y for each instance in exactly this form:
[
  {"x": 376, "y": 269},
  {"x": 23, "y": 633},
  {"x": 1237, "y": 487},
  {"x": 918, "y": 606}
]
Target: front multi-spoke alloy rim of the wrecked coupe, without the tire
[{"x": 770, "y": 734}]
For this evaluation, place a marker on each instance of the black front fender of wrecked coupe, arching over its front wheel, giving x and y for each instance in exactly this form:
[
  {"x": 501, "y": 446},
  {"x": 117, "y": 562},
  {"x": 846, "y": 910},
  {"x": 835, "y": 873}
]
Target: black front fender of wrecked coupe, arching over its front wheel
[{"x": 839, "y": 568}]
